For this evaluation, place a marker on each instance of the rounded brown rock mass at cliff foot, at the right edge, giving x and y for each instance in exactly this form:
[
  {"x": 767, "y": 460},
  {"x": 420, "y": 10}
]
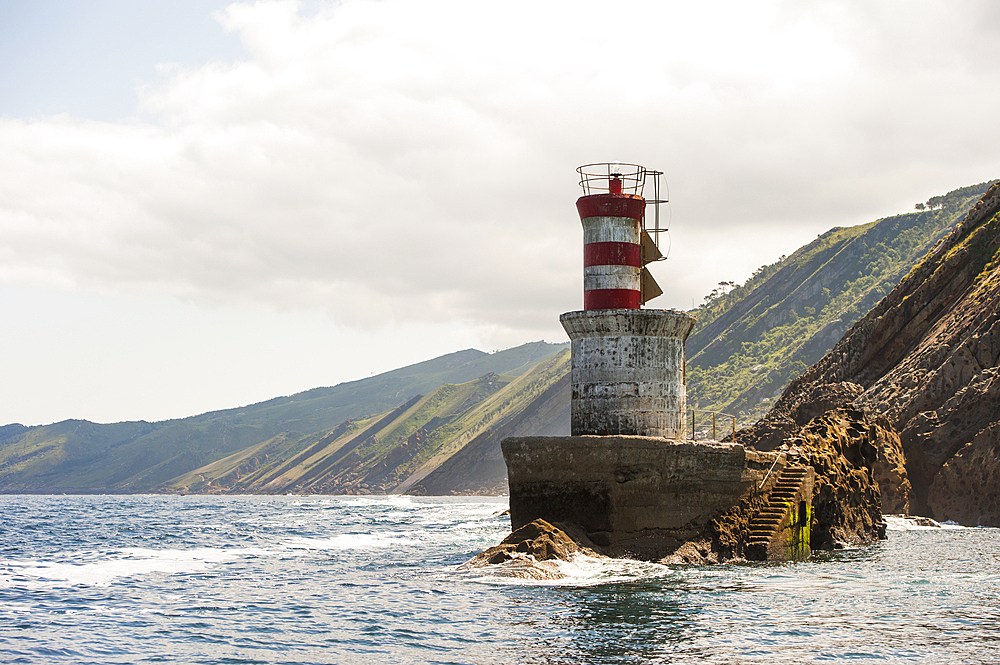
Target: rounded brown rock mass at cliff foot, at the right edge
[{"x": 967, "y": 489}]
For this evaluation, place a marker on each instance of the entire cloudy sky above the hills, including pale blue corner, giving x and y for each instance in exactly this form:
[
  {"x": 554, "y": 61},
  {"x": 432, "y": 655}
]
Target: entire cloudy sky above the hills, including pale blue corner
[{"x": 205, "y": 205}]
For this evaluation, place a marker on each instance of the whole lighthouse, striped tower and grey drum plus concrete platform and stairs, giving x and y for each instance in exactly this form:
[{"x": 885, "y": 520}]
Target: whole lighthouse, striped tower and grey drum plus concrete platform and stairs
[{"x": 627, "y": 477}]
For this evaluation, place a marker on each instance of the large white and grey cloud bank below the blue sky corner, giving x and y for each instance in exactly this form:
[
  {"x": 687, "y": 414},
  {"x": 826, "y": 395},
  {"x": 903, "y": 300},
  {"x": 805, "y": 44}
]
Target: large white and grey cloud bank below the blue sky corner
[{"x": 396, "y": 162}]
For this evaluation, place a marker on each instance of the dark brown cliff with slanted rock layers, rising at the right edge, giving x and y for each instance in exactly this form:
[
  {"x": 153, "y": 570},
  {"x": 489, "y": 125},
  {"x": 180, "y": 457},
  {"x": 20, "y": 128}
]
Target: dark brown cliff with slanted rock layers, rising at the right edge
[{"x": 926, "y": 358}]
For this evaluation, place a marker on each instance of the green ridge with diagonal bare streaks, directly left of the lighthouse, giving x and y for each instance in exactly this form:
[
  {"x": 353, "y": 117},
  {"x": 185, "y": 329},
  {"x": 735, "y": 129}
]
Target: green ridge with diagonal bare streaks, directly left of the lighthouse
[{"x": 388, "y": 453}]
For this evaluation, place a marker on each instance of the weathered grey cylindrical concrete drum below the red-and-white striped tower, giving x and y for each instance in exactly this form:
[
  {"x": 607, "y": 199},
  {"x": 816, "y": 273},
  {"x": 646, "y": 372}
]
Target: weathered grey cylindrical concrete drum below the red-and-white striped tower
[{"x": 628, "y": 371}]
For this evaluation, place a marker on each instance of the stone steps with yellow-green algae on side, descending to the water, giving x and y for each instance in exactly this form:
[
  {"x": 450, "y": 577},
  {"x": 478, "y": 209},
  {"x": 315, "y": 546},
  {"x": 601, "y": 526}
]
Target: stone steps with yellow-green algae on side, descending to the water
[{"x": 780, "y": 530}]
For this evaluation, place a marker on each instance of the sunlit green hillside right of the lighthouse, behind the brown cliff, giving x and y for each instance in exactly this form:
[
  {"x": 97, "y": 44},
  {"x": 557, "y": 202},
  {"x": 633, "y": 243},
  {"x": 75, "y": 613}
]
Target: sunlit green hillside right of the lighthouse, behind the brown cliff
[{"x": 751, "y": 340}]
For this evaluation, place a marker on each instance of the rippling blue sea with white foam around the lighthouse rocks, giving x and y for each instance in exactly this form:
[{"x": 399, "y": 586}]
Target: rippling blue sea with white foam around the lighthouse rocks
[{"x": 345, "y": 579}]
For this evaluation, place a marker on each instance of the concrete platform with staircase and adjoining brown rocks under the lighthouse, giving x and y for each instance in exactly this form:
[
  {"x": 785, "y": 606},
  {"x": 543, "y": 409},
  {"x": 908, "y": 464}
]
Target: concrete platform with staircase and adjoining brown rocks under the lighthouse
[{"x": 692, "y": 502}]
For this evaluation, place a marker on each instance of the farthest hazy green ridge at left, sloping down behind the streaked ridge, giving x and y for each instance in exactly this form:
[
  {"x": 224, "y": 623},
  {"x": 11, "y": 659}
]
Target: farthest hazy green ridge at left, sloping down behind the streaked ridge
[{"x": 79, "y": 456}]
